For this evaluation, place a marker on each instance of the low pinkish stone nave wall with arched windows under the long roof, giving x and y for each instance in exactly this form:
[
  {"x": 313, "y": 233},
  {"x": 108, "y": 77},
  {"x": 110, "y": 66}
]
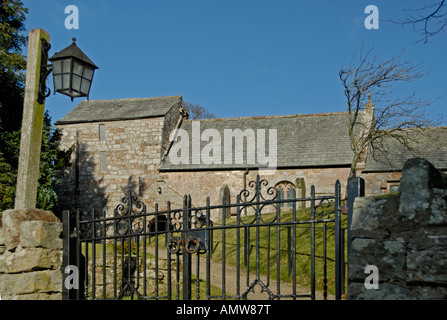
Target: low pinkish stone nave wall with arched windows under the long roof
[{"x": 172, "y": 186}]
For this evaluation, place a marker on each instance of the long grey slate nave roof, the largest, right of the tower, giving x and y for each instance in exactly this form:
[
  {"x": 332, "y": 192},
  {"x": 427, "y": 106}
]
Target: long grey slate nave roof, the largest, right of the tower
[{"x": 316, "y": 140}]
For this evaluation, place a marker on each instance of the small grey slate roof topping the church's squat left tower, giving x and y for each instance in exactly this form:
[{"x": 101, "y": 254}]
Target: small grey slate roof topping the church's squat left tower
[{"x": 121, "y": 109}]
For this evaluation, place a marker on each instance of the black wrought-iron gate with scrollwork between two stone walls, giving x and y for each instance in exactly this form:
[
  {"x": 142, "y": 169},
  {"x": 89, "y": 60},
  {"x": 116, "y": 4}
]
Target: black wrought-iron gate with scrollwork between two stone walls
[{"x": 262, "y": 247}]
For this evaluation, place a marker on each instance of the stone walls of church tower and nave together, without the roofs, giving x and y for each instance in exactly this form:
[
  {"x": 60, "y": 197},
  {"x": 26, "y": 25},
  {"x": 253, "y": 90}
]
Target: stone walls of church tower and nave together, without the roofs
[{"x": 114, "y": 158}]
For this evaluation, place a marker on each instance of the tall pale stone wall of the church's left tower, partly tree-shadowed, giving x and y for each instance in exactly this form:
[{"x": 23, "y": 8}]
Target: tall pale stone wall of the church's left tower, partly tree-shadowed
[{"x": 104, "y": 168}]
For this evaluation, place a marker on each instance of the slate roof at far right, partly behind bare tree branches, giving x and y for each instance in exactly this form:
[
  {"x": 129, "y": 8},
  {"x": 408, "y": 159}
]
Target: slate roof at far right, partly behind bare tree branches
[{"x": 432, "y": 146}]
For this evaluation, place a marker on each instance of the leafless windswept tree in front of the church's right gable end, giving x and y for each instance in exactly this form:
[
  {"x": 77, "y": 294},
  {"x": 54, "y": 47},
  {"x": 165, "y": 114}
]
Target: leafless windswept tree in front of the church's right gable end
[{"x": 370, "y": 78}]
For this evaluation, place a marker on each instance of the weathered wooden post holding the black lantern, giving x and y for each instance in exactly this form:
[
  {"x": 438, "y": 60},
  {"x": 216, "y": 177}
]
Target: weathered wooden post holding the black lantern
[{"x": 32, "y": 123}]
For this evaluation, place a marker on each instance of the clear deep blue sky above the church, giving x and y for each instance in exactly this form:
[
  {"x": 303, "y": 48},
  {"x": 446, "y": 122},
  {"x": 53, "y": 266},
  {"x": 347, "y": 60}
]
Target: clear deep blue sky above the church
[{"x": 236, "y": 58}]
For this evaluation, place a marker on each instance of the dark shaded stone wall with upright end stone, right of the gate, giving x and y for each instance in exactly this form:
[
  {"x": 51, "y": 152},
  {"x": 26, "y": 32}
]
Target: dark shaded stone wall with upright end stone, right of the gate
[{"x": 404, "y": 237}]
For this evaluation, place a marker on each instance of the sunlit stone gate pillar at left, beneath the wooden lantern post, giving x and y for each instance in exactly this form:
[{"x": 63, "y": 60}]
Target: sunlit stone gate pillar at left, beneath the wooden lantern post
[{"x": 30, "y": 255}]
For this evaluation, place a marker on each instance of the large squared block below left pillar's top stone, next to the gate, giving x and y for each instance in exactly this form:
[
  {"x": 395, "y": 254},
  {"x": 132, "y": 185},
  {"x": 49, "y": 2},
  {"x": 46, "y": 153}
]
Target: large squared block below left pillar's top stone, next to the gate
[{"x": 41, "y": 234}]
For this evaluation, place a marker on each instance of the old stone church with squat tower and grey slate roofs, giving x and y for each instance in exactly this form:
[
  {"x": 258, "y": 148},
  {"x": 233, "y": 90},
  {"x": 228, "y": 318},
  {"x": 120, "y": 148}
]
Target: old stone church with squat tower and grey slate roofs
[{"x": 149, "y": 147}]
